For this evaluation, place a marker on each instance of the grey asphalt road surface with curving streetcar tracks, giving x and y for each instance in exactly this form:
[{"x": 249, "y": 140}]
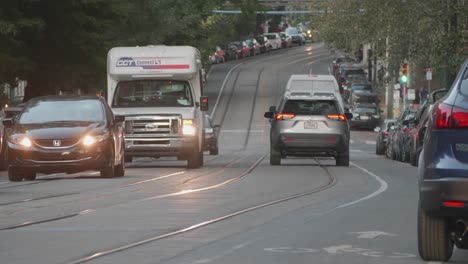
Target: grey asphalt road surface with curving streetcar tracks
[{"x": 235, "y": 209}]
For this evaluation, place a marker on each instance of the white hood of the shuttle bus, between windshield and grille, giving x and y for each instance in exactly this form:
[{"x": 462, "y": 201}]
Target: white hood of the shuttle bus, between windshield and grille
[{"x": 186, "y": 112}]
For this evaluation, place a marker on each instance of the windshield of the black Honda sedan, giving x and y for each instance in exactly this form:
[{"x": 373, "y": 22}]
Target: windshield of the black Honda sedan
[{"x": 62, "y": 110}]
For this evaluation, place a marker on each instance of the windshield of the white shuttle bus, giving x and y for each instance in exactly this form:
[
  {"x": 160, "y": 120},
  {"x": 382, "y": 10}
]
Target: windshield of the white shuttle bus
[{"x": 153, "y": 93}]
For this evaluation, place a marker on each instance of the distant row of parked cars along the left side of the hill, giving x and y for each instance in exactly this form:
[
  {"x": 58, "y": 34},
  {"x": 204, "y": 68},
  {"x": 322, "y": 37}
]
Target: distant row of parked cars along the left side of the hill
[{"x": 257, "y": 45}]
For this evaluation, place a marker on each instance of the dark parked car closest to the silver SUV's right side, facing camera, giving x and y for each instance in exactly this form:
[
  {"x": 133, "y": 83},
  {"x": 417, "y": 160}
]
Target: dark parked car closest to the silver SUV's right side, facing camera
[{"x": 365, "y": 115}]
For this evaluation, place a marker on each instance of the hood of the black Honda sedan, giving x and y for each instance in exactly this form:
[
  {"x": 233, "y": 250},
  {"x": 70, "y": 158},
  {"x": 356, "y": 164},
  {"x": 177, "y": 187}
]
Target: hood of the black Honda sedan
[{"x": 57, "y": 130}]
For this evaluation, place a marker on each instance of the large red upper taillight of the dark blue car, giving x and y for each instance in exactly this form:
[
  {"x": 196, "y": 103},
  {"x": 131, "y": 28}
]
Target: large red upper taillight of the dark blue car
[{"x": 447, "y": 116}]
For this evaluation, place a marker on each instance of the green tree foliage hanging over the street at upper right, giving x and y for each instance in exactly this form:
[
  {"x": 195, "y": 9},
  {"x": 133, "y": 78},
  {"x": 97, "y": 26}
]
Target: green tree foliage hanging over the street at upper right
[{"x": 431, "y": 32}]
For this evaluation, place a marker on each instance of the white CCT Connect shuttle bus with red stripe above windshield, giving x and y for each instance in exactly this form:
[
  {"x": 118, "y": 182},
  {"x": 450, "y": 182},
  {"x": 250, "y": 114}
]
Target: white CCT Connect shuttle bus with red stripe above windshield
[{"x": 159, "y": 90}]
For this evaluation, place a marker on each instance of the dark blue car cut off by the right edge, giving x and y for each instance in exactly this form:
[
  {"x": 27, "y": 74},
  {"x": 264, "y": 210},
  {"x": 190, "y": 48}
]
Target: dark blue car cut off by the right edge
[{"x": 443, "y": 175}]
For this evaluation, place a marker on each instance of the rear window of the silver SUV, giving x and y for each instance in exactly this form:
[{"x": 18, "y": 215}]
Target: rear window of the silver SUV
[{"x": 310, "y": 107}]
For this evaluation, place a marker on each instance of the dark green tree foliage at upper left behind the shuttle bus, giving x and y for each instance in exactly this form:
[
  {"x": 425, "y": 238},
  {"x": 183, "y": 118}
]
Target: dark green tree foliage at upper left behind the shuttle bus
[{"x": 62, "y": 44}]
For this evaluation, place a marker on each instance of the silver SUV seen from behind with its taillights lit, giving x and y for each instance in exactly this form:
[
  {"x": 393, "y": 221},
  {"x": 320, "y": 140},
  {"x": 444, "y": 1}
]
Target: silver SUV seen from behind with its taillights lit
[{"x": 309, "y": 125}]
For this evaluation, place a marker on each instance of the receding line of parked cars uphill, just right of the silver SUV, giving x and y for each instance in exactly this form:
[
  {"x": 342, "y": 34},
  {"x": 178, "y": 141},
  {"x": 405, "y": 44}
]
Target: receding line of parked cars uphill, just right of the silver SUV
[{"x": 359, "y": 95}]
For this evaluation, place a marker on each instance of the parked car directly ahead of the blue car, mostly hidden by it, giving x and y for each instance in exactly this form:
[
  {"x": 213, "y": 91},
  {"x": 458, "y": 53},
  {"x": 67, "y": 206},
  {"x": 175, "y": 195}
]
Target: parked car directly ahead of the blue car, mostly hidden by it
[{"x": 418, "y": 126}]
